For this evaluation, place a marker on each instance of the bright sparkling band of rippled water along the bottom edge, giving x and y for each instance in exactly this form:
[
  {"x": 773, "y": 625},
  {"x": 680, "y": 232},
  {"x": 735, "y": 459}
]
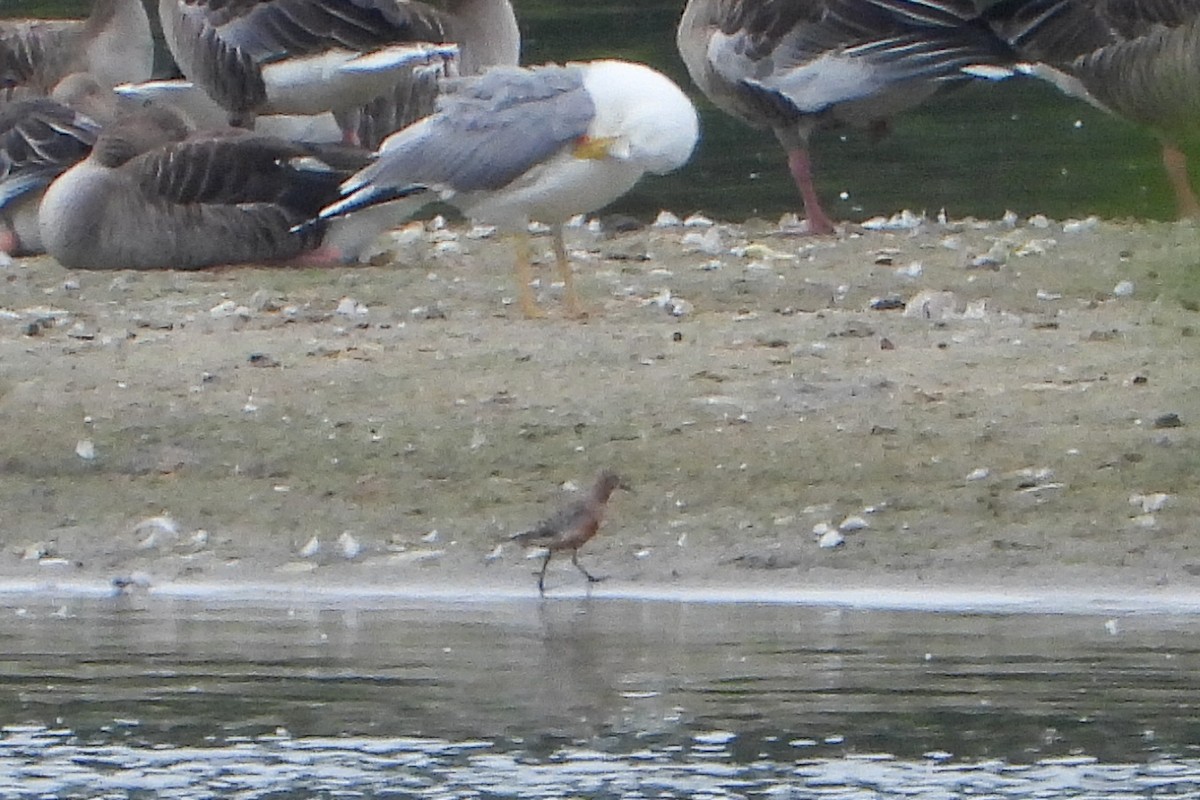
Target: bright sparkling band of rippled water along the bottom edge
[{"x": 39, "y": 762}]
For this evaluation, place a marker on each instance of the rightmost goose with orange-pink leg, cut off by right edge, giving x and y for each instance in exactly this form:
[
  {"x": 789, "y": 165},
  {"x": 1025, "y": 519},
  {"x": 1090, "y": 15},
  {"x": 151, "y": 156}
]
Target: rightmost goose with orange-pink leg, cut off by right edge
[{"x": 1138, "y": 59}]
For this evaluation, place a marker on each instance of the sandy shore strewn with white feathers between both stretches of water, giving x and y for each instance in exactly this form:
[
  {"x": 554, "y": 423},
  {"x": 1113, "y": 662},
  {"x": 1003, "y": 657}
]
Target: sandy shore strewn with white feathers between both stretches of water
[{"x": 973, "y": 405}]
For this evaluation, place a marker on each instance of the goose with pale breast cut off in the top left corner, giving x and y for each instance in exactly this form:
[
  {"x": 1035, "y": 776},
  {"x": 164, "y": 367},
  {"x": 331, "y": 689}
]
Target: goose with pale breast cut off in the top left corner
[{"x": 115, "y": 45}]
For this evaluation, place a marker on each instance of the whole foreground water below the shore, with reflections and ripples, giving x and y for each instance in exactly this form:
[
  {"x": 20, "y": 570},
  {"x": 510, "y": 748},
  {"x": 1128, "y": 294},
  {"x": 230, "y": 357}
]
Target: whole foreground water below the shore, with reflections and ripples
[{"x": 147, "y": 697}]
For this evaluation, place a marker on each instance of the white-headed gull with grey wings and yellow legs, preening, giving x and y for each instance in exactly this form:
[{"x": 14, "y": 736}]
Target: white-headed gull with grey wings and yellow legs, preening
[{"x": 543, "y": 143}]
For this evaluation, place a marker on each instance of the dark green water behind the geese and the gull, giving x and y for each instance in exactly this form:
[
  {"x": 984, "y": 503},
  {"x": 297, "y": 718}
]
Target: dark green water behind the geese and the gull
[{"x": 979, "y": 152}]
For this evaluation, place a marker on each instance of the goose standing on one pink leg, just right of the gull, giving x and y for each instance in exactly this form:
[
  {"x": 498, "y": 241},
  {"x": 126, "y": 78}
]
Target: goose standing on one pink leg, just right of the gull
[{"x": 800, "y": 67}]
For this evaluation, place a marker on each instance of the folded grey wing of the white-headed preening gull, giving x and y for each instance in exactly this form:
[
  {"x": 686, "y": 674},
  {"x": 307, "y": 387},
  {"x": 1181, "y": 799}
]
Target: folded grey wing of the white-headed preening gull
[{"x": 488, "y": 131}]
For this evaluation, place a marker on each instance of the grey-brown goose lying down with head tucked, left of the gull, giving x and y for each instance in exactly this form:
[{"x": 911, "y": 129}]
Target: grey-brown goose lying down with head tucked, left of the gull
[{"x": 154, "y": 196}]
